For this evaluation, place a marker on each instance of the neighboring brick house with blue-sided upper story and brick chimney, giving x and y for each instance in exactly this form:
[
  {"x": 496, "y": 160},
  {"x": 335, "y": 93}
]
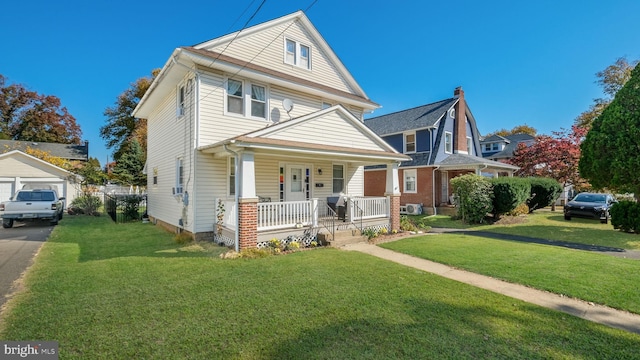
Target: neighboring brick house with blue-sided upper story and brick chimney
[{"x": 443, "y": 141}]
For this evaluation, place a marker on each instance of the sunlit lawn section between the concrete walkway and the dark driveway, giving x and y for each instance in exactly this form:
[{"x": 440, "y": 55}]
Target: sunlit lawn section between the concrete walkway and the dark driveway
[{"x": 599, "y": 278}]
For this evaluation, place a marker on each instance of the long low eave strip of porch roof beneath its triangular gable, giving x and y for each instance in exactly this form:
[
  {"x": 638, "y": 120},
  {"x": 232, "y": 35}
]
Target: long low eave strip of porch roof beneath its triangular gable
[{"x": 303, "y": 149}]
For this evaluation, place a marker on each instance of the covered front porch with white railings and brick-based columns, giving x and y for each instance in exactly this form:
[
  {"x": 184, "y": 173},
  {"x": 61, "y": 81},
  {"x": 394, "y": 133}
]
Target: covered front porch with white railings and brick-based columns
[{"x": 299, "y": 190}]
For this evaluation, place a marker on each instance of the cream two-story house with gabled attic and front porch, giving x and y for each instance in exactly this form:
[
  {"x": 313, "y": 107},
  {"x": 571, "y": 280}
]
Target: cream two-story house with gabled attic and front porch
[{"x": 253, "y": 135}]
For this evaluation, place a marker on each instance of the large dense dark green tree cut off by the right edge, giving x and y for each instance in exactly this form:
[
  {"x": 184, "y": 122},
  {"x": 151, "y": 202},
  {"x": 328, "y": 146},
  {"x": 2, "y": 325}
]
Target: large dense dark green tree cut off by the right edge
[{"x": 611, "y": 151}]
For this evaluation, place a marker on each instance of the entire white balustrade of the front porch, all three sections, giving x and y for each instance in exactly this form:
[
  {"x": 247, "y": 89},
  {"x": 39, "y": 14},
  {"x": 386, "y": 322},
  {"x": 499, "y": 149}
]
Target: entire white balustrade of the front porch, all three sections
[{"x": 291, "y": 214}]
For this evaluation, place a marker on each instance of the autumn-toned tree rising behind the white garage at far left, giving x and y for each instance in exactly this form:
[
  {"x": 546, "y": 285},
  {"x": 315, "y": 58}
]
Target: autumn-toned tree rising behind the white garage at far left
[{"x": 28, "y": 116}]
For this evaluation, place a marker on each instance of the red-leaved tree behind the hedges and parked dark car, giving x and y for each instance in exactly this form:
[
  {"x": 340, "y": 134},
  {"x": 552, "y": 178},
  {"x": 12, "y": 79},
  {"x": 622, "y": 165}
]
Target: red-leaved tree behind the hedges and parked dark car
[{"x": 554, "y": 156}]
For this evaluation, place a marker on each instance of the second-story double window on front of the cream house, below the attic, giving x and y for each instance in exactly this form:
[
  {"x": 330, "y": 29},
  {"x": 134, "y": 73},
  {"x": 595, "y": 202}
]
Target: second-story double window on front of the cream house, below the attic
[{"x": 255, "y": 105}]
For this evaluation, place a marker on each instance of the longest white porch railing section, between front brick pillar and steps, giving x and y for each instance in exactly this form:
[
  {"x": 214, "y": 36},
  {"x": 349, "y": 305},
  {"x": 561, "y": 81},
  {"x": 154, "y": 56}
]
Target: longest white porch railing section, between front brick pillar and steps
[{"x": 279, "y": 215}]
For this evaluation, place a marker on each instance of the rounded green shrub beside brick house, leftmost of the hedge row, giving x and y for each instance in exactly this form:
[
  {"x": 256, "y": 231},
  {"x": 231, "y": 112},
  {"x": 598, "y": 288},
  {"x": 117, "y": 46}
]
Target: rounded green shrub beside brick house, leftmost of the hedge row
[{"x": 473, "y": 197}]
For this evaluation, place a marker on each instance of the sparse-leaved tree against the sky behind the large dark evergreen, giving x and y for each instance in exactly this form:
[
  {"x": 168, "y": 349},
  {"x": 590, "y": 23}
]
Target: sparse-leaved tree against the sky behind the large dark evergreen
[{"x": 611, "y": 79}]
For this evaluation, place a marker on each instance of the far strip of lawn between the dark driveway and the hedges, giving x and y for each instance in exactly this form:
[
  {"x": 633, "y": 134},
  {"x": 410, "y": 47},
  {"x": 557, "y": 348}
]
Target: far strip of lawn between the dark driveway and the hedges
[{"x": 550, "y": 225}]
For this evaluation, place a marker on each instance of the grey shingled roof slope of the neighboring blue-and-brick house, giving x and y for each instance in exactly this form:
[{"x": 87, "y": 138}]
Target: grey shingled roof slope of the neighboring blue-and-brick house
[{"x": 424, "y": 116}]
